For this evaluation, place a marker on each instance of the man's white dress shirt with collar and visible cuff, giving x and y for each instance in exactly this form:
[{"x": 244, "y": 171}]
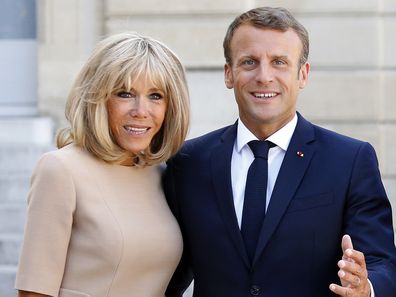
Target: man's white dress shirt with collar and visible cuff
[{"x": 242, "y": 158}]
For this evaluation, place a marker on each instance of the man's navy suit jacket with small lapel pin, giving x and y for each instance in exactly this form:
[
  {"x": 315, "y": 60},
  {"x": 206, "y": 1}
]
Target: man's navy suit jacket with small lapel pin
[{"x": 333, "y": 188}]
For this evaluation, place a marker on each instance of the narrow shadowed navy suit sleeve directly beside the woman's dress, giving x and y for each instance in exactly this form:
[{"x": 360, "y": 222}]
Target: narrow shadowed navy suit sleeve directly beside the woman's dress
[{"x": 183, "y": 275}]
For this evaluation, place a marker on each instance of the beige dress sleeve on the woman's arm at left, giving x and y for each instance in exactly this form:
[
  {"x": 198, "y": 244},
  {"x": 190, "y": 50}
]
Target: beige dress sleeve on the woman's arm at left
[{"x": 51, "y": 204}]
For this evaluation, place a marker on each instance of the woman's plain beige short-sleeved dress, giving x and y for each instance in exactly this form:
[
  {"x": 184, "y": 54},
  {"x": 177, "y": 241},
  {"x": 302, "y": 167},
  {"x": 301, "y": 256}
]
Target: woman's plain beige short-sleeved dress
[{"x": 97, "y": 230}]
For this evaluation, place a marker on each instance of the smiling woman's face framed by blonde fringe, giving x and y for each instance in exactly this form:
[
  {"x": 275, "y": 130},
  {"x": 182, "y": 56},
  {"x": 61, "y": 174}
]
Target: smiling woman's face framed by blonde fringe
[{"x": 135, "y": 116}]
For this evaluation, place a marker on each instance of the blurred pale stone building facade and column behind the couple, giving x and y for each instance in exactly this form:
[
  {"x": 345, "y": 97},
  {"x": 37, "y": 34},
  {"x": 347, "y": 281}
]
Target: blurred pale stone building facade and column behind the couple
[{"x": 44, "y": 43}]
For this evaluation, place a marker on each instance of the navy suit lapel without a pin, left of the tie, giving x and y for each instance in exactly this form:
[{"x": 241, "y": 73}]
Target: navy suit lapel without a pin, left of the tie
[{"x": 221, "y": 173}]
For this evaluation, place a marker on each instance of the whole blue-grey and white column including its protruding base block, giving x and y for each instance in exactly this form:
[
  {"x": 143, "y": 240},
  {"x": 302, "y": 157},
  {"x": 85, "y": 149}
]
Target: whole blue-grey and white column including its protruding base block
[{"x": 19, "y": 121}]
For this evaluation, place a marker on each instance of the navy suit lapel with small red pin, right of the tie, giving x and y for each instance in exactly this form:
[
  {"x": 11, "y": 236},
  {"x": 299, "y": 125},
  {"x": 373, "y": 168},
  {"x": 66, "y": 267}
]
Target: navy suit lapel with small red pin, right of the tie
[{"x": 294, "y": 165}]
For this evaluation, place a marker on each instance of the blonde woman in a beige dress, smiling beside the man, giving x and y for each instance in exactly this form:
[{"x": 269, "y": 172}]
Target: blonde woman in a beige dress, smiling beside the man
[{"x": 98, "y": 223}]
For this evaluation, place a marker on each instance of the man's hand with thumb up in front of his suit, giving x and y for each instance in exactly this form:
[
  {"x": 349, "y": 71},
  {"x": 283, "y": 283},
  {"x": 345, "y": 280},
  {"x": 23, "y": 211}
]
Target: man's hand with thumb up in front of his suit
[{"x": 352, "y": 273}]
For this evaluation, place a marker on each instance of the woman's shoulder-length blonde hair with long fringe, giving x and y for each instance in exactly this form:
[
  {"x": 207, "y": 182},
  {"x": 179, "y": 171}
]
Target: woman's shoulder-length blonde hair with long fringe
[{"x": 115, "y": 64}]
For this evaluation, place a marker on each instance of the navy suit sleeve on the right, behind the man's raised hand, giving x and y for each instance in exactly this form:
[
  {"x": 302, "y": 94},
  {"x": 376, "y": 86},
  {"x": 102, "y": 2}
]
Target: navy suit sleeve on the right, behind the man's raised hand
[{"x": 368, "y": 219}]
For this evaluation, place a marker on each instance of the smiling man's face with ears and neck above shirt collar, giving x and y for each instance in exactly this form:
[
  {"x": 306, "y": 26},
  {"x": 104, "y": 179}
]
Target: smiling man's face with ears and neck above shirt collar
[{"x": 266, "y": 77}]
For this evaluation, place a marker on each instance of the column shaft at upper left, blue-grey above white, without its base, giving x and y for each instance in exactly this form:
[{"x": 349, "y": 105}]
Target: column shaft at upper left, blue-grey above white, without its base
[{"x": 18, "y": 59}]
